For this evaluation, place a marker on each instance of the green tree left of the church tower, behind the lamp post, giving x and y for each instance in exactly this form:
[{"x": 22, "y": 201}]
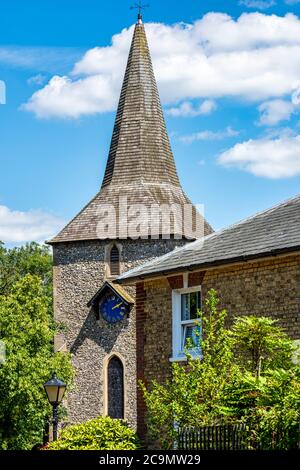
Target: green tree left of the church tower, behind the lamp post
[{"x": 27, "y": 332}]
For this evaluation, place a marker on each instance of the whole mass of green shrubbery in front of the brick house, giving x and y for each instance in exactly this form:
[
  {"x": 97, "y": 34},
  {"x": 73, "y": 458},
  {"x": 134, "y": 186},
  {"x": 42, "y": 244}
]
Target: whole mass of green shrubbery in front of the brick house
[{"x": 245, "y": 375}]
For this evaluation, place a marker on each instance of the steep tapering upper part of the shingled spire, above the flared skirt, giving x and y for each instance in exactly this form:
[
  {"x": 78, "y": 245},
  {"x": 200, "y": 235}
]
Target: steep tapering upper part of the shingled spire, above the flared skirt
[{"x": 140, "y": 148}]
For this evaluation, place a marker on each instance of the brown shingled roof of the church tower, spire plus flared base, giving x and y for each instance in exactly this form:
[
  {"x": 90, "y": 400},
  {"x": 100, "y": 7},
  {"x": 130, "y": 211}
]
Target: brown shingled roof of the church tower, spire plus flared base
[{"x": 140, "y": 164}]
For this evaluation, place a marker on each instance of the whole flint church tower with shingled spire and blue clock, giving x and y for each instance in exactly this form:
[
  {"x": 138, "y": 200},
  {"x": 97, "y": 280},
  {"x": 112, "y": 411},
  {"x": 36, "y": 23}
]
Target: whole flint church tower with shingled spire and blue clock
[{"x": 96, "y": 246}]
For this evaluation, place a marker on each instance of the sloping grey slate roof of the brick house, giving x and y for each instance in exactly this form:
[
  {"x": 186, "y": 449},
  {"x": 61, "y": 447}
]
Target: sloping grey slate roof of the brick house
[{"x": 271, "y": 232}]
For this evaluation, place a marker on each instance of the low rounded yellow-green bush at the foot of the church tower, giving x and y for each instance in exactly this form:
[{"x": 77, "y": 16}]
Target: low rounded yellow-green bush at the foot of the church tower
[{"x": 103, "y": 433}]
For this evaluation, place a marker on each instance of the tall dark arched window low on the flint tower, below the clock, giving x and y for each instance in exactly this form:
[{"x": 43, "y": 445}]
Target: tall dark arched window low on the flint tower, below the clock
[{"x": 115, "y": 388}]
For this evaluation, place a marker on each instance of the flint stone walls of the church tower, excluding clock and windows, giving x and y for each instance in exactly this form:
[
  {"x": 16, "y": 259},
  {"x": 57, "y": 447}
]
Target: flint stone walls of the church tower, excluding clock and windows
[{"x": 79, "y": 271}]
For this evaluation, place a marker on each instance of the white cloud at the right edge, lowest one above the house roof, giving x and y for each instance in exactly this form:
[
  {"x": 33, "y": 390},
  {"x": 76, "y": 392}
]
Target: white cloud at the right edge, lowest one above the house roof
[{"x": 269, "y": 158}]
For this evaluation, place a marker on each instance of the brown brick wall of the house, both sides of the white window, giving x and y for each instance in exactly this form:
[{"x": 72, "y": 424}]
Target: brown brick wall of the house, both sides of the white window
[{"x": 267, "y": 287}]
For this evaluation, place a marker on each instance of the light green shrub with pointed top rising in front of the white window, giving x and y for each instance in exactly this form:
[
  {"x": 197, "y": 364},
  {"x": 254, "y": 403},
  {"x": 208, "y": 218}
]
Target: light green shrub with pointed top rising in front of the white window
[{"x": 196, "y": 392}]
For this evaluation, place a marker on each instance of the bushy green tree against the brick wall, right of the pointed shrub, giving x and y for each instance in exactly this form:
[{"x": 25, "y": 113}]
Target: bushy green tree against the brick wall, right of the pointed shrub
[{"x": 267, "y": 393}]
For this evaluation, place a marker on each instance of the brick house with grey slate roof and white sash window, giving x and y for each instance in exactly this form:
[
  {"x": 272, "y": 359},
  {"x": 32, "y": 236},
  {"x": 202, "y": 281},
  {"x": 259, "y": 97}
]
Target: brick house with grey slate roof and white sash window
[{"x": 255, "y": 268}]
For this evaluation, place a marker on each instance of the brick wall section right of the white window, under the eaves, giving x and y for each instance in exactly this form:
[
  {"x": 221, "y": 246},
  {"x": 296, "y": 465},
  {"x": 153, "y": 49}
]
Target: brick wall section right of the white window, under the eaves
[{"x": 270, "y": 288}]
